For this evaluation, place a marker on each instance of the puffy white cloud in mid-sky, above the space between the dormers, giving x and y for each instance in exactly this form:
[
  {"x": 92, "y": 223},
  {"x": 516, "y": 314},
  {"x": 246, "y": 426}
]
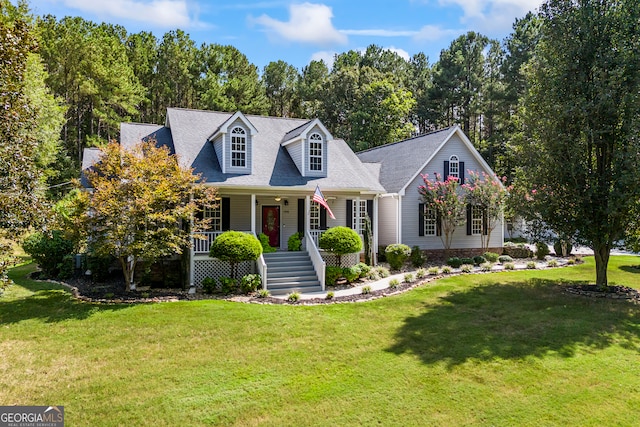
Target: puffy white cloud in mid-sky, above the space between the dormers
[{"x": 308, "y": 23}]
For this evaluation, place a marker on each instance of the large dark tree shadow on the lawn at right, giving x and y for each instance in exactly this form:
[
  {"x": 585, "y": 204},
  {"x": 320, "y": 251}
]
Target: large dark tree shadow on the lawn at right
[{"x": 514, "y": 321}]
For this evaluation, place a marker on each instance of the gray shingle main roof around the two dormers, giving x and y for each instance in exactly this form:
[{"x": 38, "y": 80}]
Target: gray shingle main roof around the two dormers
[{"x": 272, "y": 165}]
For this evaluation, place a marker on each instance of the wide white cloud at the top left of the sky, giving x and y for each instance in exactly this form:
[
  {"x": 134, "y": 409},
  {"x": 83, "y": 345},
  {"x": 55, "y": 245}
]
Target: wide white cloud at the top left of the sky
[{"x": 162, "y": 13}]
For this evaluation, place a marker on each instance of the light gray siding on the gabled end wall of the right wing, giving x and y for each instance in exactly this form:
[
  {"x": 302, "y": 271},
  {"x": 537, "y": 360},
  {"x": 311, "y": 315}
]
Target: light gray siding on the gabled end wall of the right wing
[{"x": 411, "y": 200}]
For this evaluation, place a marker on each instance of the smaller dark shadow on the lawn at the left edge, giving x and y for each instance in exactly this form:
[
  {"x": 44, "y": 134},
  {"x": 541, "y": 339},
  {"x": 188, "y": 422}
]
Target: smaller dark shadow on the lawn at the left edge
[{"x": 50, "y": 302}]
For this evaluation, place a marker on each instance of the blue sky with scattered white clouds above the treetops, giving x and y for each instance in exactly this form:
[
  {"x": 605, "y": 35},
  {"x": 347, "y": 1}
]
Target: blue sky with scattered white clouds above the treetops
[{"x": 297, "y": 32}]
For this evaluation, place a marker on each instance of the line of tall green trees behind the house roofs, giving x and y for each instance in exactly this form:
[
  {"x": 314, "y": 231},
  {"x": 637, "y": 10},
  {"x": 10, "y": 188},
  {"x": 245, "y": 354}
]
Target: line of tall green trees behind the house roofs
[{"x": 102, "y": 75}]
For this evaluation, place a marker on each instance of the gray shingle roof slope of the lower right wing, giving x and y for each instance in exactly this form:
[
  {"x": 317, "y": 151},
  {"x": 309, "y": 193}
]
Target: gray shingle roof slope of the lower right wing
[{"x": 400, "y": 161}]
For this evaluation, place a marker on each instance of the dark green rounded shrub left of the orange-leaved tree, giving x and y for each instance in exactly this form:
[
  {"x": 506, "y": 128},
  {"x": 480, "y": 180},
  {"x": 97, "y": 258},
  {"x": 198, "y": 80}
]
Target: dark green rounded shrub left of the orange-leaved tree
[{"x": 48, "y": 251}]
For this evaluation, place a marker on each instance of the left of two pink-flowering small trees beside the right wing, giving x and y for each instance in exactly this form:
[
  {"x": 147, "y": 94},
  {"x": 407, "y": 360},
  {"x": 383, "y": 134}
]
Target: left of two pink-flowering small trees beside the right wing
[{"x": 446, "y": 200}]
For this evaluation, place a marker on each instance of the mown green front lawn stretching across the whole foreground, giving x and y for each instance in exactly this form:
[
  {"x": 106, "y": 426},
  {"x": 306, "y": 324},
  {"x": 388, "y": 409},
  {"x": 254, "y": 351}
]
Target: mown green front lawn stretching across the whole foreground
[{"x": 497, "y": 349}]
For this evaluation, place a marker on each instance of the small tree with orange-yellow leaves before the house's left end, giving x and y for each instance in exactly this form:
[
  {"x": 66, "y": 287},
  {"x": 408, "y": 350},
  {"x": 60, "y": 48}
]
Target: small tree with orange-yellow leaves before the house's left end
[{"x": 141, "y": 201}]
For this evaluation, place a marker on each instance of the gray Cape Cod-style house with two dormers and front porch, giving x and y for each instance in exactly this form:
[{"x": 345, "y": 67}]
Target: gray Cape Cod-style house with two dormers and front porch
[{"x": 266, "y": 170}]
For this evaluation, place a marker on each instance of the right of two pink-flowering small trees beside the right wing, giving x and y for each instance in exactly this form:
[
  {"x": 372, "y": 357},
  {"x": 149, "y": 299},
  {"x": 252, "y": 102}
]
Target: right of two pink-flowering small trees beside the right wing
[{"x": 490, "y": 195}]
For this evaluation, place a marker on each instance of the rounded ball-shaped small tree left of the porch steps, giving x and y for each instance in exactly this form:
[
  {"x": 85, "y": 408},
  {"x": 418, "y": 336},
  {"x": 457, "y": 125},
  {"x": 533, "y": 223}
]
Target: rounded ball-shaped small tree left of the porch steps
[{"x": 235, "y": 247}]
